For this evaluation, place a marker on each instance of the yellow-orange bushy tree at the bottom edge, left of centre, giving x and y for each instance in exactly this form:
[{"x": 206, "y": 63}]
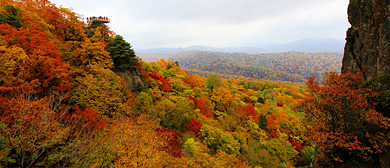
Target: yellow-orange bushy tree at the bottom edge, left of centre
[{"x": 137, "y": 144}]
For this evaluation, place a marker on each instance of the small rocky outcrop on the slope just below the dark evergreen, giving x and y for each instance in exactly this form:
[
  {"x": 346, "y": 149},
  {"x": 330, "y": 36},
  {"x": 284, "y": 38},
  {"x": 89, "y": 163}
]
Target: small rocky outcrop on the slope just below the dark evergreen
[{"x": 131, "y": 78}]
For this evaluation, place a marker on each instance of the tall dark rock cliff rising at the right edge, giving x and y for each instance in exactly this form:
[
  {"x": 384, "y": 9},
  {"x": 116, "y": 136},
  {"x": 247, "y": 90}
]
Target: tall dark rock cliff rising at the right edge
[{"x": 367, "y": 48}]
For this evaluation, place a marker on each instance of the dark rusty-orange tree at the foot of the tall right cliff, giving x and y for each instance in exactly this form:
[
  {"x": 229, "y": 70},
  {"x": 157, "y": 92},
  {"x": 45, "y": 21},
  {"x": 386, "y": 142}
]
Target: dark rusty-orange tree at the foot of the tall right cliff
[{"x": 344, "y": 121}]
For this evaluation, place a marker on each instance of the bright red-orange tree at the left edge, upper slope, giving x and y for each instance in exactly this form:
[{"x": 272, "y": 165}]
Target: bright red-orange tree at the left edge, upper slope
[{"x": 43, "y": 69}]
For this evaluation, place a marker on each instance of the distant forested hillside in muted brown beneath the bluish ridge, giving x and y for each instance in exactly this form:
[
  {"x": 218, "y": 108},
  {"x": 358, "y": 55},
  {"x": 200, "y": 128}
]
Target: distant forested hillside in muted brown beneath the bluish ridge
[{"x": 288, "y": 66}]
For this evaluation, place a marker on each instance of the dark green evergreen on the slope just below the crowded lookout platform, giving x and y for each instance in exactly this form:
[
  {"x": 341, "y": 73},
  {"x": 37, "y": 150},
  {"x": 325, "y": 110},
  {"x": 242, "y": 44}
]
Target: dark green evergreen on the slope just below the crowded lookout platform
[{"x": 122, "y": 54}]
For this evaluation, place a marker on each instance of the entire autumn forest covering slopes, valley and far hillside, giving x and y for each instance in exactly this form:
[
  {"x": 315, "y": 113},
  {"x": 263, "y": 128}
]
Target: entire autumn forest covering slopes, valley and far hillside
[{"x": 63, "y": 104}]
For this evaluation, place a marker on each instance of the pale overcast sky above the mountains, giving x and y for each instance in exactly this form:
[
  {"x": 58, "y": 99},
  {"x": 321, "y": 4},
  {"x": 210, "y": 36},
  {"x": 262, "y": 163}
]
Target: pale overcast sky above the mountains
[{"x": 217, "y": 23}]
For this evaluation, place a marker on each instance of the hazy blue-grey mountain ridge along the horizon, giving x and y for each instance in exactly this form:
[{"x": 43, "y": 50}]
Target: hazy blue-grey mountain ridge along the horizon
[{"x": 303, "y": 45}]
